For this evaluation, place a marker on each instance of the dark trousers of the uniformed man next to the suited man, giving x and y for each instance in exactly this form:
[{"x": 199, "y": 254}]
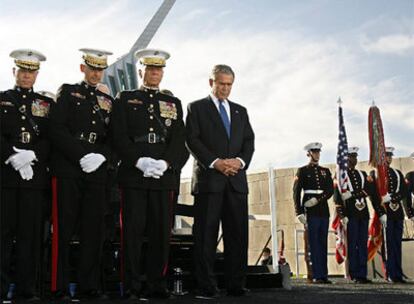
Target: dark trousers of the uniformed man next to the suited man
[{"x": 146, "y": 212}]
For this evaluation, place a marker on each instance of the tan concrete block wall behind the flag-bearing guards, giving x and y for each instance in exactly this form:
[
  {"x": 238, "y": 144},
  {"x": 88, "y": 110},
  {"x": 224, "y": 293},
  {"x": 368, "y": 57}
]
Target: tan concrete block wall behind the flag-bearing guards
[{"x": 259, "y": 230}]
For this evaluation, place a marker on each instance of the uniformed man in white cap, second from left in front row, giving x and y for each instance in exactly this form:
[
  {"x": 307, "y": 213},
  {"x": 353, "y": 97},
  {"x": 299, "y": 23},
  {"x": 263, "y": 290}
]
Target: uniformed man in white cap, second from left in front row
[{"x": 79, "y": 134}]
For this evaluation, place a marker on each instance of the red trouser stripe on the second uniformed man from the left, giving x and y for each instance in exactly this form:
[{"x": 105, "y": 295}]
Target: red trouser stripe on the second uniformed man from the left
[{"x": 55, "y": 236}]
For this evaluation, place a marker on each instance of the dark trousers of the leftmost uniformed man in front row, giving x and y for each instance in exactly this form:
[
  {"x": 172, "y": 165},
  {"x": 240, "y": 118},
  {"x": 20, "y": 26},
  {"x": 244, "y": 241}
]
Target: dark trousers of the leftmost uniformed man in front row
[{"x": 22, "y": 215}]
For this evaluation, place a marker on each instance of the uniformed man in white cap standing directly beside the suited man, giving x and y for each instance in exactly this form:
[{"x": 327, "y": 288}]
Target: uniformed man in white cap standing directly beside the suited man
[{"x": 148, "y": 132}]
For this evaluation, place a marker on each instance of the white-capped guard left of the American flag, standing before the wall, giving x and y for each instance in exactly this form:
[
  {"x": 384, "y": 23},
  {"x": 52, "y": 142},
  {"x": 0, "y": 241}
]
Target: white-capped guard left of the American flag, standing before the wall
[{"x": 312, "y": 208}]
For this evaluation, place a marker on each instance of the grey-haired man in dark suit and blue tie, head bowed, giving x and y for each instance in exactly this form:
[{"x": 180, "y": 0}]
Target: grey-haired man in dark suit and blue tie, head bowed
[{"x": 220, "y": 138}]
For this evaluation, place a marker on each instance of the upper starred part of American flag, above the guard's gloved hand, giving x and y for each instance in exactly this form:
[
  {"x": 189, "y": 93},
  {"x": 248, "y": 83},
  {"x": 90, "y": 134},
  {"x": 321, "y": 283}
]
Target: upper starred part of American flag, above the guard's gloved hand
[{"x": 342, "y": 153}]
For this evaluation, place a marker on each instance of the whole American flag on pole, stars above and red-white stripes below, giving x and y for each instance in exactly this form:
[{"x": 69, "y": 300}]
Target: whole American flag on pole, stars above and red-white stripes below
[{"x": 342, "y": 184}]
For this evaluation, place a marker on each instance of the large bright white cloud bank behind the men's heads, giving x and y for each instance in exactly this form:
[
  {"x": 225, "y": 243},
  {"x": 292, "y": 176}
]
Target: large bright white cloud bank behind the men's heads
[{"x": 289, "y": 81}]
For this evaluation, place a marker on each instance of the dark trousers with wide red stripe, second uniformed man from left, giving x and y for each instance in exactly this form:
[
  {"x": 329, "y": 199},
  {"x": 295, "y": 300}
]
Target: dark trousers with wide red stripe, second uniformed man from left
[{"x": 80, "y": 207}]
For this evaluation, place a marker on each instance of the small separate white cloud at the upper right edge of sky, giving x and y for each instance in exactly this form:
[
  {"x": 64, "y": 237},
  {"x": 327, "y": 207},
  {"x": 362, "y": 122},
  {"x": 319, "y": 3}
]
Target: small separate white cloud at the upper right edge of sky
[{"x": 397, "y": 44}]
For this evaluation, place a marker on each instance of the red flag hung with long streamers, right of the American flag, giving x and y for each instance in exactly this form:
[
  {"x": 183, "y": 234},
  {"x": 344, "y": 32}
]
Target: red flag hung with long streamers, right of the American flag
[{"x": 377, "y": 161}]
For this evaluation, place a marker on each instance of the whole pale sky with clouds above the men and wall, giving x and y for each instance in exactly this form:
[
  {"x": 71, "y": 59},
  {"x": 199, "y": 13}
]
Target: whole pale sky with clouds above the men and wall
[{"x": 292, "y": 59}]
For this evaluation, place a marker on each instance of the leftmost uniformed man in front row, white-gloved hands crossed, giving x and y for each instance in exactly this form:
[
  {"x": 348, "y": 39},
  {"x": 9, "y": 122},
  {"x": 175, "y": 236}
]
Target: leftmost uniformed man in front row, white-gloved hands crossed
[{"x": 24, "y": 177}]
